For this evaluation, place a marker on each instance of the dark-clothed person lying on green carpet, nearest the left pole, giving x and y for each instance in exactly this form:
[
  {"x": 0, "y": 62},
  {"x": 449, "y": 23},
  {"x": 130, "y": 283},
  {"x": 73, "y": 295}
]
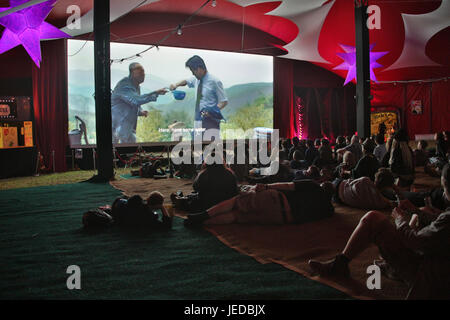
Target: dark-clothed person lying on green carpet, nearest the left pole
[{"x": 136, "y": 213}]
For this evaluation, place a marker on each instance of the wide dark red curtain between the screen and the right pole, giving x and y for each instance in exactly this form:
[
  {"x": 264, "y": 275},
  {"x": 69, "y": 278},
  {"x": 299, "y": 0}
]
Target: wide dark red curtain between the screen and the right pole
[{"x": 328, "y": 107}]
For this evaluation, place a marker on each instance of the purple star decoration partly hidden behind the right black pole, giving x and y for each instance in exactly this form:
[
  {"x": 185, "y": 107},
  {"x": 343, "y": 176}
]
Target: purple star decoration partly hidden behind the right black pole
[{"x": 349, "y": 57}]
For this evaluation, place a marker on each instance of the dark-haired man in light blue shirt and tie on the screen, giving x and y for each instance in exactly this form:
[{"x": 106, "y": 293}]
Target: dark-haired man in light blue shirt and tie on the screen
[{"x": 210, "y": 96}]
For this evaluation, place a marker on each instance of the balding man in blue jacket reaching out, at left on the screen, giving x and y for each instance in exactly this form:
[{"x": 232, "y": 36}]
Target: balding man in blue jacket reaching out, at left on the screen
[{"x": 126, "y": 101}]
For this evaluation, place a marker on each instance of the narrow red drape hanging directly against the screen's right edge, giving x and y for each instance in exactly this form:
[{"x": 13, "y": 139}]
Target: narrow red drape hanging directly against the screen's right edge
[{"x": 283, "y": 97}]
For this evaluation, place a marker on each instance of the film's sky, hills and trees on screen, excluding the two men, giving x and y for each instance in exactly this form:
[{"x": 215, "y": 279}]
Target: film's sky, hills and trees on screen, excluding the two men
[{"x": 247, "y": 81}]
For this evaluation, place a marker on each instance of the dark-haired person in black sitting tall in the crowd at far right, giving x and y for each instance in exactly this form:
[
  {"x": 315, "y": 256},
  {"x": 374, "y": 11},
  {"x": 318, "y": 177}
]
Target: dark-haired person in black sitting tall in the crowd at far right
[{"x": 401, "y": 159}]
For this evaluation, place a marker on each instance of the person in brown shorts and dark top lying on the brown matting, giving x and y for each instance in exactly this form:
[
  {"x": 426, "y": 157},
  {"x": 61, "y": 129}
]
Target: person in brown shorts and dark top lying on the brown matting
[{"x": 276, "y": 203}]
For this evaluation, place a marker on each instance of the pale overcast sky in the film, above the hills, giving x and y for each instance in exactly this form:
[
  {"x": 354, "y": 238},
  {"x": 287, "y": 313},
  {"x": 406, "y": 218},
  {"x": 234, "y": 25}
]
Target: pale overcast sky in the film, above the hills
[{"x": 169, "y": 63}]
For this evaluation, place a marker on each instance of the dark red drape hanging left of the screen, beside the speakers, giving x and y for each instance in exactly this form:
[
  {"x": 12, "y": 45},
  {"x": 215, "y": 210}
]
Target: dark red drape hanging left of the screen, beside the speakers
[{"x": 50, "y": 103}]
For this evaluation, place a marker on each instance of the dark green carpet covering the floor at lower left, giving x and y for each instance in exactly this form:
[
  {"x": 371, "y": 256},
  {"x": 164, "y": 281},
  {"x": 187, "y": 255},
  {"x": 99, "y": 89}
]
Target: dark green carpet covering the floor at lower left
[{"x": 41, "y": 235}]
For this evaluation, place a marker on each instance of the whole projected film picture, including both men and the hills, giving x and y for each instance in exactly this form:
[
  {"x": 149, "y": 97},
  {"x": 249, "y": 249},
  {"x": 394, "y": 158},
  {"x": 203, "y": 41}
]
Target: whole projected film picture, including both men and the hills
[{"x": 156, "y": 95}]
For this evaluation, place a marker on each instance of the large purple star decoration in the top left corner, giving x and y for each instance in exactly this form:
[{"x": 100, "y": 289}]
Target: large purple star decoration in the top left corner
[{"x": 27, "y": 27}]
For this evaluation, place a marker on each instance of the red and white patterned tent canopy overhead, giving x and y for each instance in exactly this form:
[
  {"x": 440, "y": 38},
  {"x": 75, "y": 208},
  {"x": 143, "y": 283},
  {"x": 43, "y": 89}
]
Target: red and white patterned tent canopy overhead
[{"x": 414, "y": 34}]
